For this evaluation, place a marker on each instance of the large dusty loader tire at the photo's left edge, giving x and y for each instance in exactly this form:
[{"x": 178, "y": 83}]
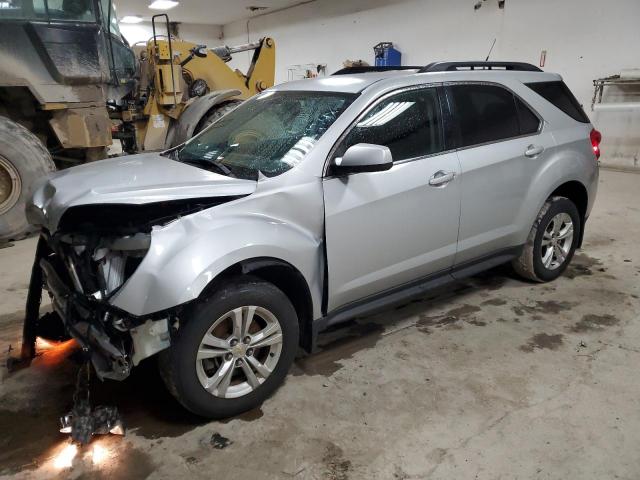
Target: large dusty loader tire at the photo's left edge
[{"x": 23, "y": 160}]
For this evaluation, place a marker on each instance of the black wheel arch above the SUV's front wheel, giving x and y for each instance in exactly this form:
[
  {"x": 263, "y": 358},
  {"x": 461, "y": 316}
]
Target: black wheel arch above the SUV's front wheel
[{"x": 285, "y": 277}]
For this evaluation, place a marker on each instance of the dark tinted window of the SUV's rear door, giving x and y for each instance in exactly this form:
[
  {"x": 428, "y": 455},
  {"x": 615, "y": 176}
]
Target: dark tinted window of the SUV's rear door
[{"x": 485, "y": 113}]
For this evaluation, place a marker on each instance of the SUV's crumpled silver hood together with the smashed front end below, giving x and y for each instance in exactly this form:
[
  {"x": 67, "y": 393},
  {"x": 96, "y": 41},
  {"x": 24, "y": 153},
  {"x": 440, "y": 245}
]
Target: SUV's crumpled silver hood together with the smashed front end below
[{"x": 97, "y": 224}]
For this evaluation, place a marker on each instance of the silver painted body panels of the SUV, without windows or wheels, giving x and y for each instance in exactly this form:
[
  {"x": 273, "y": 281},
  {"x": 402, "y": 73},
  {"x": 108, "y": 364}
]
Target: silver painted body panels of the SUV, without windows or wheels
[{"x": 382, "y": 229}]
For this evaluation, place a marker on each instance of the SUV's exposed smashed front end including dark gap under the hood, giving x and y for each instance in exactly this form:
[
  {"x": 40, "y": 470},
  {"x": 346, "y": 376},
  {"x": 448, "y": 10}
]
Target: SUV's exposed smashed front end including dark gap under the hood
[{"x": 89, "y": 258}]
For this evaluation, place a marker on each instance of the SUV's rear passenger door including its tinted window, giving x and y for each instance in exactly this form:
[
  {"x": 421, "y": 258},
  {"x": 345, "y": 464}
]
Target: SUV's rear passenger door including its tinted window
[{"x": 501, "y": 144}]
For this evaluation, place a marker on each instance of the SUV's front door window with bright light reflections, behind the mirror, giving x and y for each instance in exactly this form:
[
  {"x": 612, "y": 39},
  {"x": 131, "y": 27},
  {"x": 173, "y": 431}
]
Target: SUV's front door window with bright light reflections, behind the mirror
[{"x": 408, "y": 123}]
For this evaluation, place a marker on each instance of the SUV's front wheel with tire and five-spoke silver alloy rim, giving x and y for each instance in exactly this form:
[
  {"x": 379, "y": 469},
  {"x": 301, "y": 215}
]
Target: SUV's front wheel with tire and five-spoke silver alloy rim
[{"x": 185, "y": 374}]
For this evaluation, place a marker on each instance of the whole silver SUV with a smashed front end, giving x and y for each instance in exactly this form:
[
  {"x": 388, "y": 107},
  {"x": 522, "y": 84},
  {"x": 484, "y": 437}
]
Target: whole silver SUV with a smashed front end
[{"x": 307, "y": 205}]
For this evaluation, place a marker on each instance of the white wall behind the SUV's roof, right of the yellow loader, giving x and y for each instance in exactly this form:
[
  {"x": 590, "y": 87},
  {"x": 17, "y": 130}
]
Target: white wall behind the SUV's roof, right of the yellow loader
[{"x": 584, "y": 39}]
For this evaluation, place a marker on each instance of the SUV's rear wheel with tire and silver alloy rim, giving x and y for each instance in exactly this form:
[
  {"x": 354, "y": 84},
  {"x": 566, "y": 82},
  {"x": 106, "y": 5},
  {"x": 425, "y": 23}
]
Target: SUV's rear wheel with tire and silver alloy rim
[{"x": 537, "y": 262}]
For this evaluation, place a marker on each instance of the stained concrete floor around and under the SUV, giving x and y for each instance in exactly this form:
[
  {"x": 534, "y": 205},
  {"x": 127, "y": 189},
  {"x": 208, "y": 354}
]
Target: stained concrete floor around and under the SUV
[{"x": 495, "y": 378}]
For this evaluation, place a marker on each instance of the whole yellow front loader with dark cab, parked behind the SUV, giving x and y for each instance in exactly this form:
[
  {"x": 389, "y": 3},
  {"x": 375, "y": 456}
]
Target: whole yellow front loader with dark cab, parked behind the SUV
[{"x": 70, "y": 83}]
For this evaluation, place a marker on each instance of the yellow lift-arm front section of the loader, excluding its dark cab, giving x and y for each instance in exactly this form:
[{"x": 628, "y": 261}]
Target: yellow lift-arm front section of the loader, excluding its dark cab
[{"x": 183, "y": 87}]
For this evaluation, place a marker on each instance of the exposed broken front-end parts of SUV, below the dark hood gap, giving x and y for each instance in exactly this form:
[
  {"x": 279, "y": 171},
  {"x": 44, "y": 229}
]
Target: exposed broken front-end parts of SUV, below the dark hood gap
[{"x": 81, "y": 271}]
